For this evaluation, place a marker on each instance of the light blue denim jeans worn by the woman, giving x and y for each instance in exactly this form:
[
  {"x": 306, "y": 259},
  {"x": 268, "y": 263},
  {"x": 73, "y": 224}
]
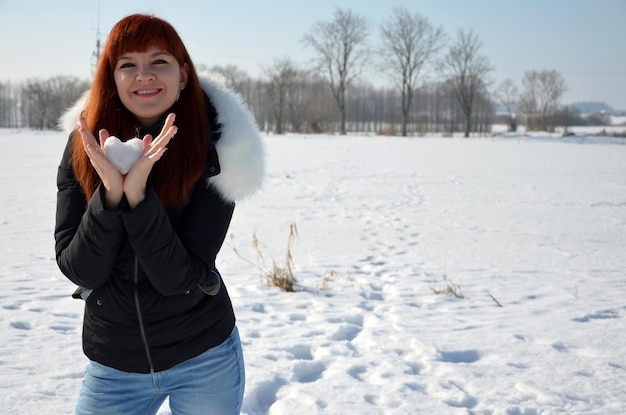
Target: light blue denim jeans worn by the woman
[{"x": 211, "y": 383}]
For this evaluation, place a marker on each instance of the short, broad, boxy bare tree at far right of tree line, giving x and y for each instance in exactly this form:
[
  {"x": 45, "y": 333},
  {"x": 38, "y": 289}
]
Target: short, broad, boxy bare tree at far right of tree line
[{"x": 540, "y": 97}]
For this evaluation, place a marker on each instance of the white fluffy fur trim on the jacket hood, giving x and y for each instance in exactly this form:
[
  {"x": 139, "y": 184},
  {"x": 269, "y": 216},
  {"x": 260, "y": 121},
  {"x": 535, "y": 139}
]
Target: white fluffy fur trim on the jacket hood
[{"x": 240, "y": 148}]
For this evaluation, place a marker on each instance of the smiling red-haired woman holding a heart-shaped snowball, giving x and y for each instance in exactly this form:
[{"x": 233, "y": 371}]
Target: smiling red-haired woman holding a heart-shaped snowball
[{"x": 142, "y": 245}]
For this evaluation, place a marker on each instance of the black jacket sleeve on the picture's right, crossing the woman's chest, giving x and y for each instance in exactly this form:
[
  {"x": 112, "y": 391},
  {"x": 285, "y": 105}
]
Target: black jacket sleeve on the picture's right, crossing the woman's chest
[{"x": 177, "y": 258}]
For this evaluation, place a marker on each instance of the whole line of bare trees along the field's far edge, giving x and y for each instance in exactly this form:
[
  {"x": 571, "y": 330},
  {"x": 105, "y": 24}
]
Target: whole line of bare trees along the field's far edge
[{"x": 436, "y": 84}]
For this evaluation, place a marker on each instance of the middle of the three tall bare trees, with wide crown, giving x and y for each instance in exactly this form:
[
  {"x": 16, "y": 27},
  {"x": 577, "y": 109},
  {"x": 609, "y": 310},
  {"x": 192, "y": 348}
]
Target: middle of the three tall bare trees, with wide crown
[{"x": 409, "y": 41}]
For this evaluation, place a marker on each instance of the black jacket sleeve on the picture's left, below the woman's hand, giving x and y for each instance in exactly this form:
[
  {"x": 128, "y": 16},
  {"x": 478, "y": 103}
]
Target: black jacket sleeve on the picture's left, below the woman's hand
[{"x": 87, "y": 236}]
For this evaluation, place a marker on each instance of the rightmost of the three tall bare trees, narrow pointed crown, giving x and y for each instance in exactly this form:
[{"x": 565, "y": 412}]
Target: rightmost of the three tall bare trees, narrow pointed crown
[{"x": 465, "y": 73}]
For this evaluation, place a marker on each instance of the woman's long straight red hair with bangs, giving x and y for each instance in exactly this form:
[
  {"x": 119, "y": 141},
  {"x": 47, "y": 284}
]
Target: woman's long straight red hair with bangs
[{"x": 186, "y": 157}]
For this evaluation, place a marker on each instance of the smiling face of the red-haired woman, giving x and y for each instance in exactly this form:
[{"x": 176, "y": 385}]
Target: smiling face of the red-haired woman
[{"x": 148, "y": 83}]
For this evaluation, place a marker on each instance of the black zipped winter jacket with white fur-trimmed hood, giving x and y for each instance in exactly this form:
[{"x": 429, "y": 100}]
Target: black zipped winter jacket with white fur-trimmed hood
[{"x": 146, "y": 311}]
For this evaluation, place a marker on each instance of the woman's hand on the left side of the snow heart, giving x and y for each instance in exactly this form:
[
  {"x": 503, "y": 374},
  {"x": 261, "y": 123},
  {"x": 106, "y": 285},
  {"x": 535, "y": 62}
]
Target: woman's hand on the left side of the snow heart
[{"x": 112, "y": 179}]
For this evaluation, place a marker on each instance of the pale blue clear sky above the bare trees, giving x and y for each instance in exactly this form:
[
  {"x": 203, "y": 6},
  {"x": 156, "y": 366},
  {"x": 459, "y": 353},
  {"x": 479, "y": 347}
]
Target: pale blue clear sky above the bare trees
[{"x": 582, "y": 39}]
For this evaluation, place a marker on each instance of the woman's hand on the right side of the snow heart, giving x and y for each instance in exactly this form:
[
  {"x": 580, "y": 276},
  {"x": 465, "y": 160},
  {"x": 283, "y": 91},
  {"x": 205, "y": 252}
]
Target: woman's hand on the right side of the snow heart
[{"x": 134, "y": 185}]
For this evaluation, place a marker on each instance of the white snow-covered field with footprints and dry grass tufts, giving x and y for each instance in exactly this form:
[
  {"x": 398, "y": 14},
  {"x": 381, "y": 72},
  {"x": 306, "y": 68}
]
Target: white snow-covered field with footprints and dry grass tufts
[{"x": 536, "y": 226}]
